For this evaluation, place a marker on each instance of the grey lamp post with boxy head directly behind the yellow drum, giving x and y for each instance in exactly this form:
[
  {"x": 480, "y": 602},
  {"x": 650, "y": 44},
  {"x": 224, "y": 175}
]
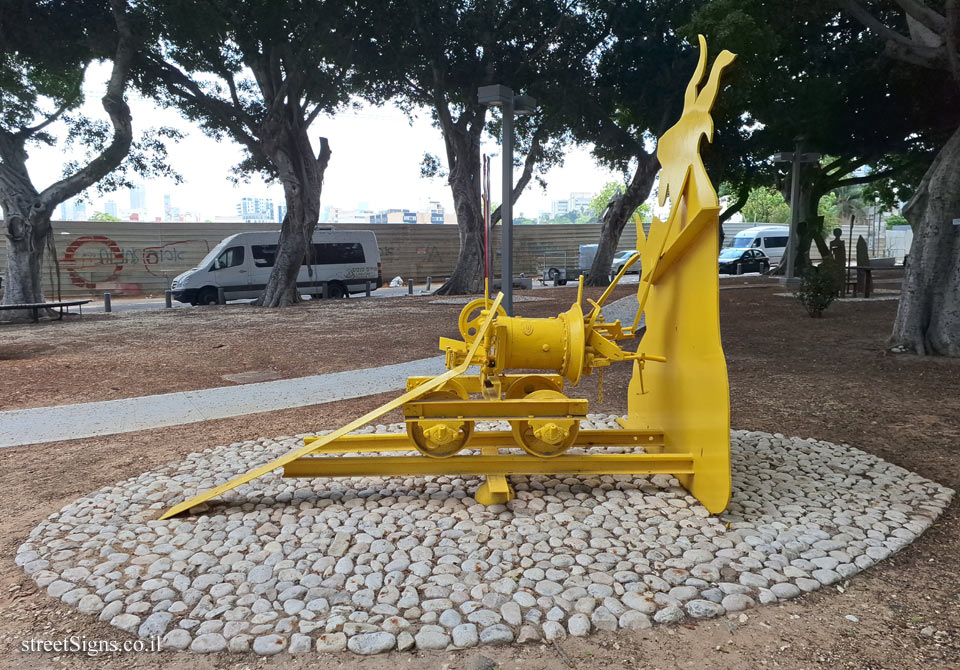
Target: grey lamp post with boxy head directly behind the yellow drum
[{"x": 501, "y": 96}]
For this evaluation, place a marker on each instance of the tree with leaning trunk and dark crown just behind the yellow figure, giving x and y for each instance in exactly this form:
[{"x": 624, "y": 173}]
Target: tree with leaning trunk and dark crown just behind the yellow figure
[{"x": 633, "y": 95}]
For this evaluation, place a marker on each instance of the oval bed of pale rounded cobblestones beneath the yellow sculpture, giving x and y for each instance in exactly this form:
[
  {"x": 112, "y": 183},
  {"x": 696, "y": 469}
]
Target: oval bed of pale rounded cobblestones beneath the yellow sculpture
[{"x": 378, "y": 564}]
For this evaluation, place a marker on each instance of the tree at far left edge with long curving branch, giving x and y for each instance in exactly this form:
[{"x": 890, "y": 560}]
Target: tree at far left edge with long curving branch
[{"x": 45, "y": 48}]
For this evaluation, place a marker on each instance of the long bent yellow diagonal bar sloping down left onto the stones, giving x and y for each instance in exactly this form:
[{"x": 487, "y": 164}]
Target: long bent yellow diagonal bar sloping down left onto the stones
[{"x": 350, "y": 427}]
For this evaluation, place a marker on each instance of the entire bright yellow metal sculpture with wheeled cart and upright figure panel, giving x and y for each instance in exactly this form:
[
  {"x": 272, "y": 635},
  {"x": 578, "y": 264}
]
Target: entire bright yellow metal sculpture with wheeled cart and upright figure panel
[{"x": 678, "y": 418}]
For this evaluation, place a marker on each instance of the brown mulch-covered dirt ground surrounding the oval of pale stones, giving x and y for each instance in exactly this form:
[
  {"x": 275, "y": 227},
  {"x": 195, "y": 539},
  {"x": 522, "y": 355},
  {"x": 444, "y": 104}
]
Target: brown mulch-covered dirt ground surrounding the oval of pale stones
[{"x": 829, "y": 378}]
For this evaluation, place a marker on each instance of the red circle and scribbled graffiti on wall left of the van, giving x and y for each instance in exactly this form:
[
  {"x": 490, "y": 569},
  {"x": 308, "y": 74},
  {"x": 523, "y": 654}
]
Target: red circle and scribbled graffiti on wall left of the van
[{"x": 97, "y": 261}]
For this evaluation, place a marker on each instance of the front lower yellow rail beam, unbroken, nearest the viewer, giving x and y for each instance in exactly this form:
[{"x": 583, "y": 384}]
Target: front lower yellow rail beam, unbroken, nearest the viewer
[{"x": 503, "y": 464}]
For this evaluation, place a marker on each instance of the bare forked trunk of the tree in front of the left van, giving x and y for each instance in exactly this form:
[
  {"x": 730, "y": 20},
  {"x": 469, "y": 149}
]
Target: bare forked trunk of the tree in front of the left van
[{"x": 302, "y": 177}]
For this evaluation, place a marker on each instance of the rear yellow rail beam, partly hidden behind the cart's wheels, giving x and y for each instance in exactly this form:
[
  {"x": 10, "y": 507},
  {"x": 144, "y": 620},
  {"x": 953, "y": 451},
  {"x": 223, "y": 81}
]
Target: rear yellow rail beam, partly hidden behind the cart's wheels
[{"x": 374, "y": 442}]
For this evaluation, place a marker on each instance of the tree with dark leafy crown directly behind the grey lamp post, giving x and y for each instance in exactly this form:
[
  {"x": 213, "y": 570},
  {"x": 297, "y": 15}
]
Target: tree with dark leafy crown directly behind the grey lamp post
[{"x": 437, "y": 54}]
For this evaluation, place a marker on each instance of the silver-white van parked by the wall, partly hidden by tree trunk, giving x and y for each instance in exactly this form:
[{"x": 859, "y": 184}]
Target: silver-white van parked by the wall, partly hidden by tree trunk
[{"x": 341, "y": 260}]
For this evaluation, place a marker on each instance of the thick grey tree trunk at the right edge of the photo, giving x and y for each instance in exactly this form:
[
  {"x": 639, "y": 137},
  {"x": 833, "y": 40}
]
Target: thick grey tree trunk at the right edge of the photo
[{"x": 928, "y": 316}]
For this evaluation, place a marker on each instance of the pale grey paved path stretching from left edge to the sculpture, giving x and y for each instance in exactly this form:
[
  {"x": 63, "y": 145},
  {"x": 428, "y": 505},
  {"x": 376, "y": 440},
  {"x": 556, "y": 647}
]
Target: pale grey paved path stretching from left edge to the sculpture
[{"x": 52, "y": 424}]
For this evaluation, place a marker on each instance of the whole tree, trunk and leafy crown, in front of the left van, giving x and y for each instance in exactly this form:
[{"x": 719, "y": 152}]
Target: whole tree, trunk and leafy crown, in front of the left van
[{"x": 260, "y": 72}]
